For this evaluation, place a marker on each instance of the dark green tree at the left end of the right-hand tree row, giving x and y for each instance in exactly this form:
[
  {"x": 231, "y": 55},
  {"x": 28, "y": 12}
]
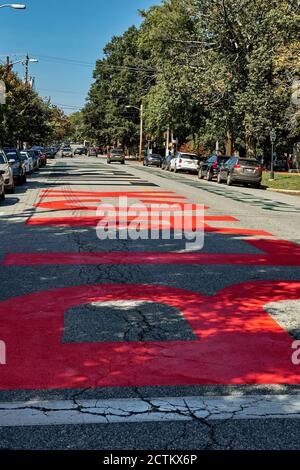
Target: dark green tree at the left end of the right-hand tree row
[{"x": 122, "y": 78}]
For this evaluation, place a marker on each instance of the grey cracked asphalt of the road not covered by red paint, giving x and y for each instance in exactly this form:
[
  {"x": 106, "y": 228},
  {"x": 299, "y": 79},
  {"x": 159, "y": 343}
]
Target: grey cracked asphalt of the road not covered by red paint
[{"x": 175, "y": 417}]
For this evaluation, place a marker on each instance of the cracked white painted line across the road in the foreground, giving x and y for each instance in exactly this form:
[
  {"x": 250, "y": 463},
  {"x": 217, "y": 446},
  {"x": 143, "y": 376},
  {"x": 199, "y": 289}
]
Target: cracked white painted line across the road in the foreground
[{"x": 135, "y": 410}]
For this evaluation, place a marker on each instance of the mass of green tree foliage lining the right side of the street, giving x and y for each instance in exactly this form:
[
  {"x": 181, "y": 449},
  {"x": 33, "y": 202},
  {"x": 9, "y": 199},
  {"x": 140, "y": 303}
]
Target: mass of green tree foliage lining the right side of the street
[{"x": 215, "y": 69}]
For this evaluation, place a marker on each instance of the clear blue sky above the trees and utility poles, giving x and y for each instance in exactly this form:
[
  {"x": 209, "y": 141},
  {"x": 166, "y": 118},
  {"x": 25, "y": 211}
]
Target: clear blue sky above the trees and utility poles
[{"x": 71, "y": 29}]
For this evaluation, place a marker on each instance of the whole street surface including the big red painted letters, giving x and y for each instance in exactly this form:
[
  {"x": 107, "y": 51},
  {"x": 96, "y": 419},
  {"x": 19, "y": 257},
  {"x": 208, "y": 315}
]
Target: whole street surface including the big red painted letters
[{"x": 142, "y": 344}]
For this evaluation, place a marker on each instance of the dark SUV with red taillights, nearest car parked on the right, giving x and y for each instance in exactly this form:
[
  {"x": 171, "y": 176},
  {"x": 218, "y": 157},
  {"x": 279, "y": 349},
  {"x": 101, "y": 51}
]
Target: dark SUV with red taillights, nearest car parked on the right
[{"x": 241, "y": 170}]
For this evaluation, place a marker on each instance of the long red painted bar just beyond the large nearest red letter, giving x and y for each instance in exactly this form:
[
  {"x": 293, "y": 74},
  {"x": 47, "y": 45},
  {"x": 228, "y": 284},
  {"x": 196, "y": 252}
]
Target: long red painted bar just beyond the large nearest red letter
[{"x": 277, "y": 253}]
